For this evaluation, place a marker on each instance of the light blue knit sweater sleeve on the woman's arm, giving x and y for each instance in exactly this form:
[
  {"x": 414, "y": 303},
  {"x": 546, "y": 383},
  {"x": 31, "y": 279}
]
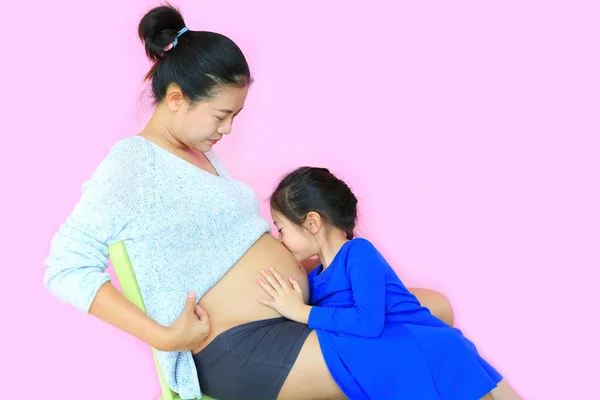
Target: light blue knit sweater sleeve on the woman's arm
[{"x": 110, "y": 202}]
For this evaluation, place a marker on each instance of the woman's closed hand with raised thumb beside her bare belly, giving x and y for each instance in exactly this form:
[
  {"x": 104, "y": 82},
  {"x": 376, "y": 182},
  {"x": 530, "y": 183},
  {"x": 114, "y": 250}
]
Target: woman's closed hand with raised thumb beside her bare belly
[{"x": 188, "y": 331}]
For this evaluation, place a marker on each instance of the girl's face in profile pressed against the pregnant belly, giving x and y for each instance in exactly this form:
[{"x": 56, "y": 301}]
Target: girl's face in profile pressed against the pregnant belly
[{"x": 298, "y": 240}]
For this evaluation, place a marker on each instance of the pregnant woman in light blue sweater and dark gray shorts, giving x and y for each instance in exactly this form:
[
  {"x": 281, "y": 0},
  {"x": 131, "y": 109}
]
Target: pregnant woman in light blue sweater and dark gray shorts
[{"x": 192, "y": 232}]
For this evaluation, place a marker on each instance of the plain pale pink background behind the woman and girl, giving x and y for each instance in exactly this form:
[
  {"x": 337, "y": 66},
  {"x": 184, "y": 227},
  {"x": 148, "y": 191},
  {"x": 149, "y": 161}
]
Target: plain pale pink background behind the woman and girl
[{"x": 469, "y": 131}]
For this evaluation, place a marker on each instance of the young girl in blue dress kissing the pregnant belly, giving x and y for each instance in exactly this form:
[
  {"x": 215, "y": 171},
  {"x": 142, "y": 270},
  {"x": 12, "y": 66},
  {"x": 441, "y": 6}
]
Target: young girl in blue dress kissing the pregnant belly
[{"x": 377, "y": 340}]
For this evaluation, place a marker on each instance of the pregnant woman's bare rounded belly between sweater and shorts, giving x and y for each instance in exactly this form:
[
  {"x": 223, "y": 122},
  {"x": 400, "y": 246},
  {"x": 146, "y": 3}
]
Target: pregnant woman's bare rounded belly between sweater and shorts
[{"x": 233, "y": 300}]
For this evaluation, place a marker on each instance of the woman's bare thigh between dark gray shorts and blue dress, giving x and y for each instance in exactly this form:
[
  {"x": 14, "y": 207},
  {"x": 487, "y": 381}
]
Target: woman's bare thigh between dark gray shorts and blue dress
[{"x": 309, "y": 377}]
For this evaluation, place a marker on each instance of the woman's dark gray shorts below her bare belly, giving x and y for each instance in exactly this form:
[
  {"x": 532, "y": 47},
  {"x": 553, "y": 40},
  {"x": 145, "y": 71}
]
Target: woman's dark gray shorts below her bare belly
[{"x": 250, "y": 361}]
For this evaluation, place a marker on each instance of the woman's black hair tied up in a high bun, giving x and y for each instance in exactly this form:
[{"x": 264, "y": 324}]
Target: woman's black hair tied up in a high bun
[{"x": 198, "y": 64}]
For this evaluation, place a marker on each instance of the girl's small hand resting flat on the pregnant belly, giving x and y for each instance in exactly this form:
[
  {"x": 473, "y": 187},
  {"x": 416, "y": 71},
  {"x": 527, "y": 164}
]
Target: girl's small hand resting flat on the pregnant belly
[{"x": 287, "y": 297}]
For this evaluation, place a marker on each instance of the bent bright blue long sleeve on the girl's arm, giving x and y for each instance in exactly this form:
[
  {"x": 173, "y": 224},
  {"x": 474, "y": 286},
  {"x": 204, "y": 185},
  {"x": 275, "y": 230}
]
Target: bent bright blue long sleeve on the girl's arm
[{"x": 367, "y": 273}]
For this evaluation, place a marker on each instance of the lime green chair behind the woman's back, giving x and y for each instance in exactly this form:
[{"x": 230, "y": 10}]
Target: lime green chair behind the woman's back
[{"x": 122, "y": 265}]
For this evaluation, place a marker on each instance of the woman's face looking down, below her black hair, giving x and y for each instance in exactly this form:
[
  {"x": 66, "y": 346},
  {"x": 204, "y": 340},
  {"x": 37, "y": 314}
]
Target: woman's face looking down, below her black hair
[{"x": 202, "y": 124}]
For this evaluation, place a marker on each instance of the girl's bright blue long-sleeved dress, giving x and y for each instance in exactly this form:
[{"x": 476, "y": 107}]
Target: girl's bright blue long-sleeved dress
[{"x": 380, "y": 343}]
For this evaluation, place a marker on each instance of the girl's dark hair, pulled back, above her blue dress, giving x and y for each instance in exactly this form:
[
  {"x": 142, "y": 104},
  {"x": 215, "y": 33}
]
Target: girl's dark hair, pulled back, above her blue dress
[{"x": 316, "y": 189}]
